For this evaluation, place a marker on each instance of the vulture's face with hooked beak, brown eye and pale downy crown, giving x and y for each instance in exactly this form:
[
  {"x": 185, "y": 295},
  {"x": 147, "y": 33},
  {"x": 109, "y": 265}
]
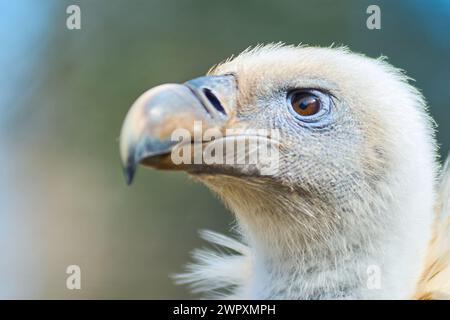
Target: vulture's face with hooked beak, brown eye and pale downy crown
[{"x": 331, "y": 115}]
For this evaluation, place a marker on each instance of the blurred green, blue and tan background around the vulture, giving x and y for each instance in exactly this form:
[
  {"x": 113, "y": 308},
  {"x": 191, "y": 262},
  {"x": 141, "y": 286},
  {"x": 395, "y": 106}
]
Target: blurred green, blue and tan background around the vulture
[{"x": 64, "y": 94}]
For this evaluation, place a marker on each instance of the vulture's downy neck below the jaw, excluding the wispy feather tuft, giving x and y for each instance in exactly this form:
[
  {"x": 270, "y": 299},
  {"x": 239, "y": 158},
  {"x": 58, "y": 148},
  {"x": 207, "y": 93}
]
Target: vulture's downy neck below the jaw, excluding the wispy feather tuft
[{"x": 303, "y": 250}]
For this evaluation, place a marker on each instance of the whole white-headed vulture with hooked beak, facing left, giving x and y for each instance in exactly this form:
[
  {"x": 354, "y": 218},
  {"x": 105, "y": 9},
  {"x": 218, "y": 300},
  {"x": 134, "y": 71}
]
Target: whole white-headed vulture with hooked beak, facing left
[{"x": 358, "y": 206}]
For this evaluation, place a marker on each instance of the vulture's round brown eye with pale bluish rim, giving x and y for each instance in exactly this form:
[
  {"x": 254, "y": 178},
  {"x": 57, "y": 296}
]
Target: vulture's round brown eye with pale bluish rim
[{"x": 309, "y": 105}]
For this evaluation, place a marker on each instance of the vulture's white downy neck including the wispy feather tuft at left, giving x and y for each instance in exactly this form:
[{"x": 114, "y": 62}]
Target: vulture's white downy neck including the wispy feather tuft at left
[{"x": 361, "y": 255}]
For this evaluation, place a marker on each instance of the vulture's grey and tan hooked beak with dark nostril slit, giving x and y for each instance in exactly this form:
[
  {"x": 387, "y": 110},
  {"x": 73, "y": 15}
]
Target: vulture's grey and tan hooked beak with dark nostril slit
[{"x": 146, "y": 135}]
